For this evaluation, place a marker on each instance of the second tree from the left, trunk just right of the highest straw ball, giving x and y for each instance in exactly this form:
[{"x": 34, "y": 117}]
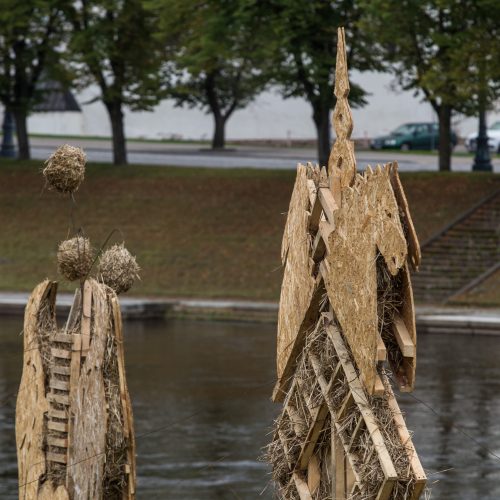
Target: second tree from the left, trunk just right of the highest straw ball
[{"x": 113, "y": 42}]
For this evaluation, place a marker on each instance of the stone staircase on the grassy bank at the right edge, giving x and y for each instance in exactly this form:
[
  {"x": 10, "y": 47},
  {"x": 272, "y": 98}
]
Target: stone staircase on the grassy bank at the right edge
[{"x": 461, "y": 253}]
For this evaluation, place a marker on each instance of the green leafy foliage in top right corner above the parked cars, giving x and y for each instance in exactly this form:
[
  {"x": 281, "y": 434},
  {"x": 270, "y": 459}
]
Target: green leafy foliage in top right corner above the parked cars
[{"x": 438, "y": 46}]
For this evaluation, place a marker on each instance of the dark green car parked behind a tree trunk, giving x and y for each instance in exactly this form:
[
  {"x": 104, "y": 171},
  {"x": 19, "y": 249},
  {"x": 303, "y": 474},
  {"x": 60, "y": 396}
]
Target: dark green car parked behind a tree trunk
[{"x": 411, "y": 136}]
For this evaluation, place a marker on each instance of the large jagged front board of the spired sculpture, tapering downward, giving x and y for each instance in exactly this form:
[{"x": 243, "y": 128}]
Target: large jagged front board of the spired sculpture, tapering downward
[{"x": 367, "y": 220}]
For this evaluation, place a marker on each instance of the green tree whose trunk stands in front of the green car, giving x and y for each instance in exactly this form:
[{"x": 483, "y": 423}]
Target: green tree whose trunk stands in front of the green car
[{"x": 420, "y": 39}]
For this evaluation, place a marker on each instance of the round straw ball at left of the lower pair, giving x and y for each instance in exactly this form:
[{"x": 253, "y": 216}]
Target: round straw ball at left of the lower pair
[{"x": 74, "y": 258}]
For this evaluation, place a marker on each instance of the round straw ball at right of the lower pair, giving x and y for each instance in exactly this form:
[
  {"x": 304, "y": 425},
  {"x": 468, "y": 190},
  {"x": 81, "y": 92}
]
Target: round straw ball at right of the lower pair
[{"x": 118, "y": 268}]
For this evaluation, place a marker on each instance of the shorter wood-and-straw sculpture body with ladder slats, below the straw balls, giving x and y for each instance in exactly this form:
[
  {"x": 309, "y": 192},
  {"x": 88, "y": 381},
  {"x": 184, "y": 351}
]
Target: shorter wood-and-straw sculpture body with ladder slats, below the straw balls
[{"x": 74, "y": 429}]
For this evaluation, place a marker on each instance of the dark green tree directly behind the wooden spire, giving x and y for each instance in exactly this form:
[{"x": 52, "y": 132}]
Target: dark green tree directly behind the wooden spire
[{"x": 304, "y": 48}]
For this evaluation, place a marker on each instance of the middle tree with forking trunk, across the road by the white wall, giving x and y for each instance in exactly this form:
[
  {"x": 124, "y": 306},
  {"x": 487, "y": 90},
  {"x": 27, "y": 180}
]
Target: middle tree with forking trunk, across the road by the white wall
[{"x": 217, "y": 56}]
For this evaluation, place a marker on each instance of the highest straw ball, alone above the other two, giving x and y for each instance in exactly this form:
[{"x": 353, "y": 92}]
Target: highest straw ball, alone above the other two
[{"x": 65, "y": 169}]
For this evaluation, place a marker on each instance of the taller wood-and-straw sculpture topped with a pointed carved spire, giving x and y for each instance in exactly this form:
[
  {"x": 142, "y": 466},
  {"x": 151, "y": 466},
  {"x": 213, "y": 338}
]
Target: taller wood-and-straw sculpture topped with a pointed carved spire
[{"x": 346, "y": 327}]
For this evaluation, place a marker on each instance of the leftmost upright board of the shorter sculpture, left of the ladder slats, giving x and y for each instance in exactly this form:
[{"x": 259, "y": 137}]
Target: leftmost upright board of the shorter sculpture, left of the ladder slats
[{"x": 31, "y": 402}]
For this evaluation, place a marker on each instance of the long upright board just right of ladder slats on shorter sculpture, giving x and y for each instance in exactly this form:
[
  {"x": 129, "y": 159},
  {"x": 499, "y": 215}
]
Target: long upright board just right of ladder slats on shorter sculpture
[{"x": 86, "y": 455}]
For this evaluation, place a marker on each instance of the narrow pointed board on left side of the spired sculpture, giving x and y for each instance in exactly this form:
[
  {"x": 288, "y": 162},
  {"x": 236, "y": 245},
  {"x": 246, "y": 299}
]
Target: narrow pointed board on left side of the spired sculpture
[{"x": 298, "y": 283}]
